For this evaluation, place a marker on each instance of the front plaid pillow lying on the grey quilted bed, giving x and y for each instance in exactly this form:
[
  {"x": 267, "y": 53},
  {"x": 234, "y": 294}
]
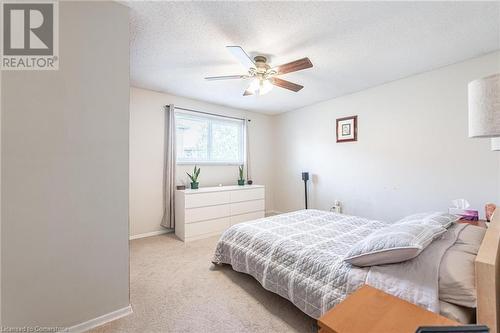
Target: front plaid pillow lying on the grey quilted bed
[{"x": 395, "y": 243}]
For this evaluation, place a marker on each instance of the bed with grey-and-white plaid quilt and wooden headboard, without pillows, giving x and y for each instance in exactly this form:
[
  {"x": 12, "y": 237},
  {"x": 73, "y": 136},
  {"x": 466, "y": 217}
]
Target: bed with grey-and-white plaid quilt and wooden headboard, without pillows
[{"x": 300, "y": 256}]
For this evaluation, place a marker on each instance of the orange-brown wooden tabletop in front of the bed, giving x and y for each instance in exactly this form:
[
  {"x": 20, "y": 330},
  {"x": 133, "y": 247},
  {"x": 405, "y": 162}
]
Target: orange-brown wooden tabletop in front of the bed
[{"x": 369, "y": 310}]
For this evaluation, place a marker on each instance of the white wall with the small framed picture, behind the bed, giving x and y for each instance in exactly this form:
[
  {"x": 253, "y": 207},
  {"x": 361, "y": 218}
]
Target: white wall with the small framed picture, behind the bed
[{"x": 412, "y": 154}]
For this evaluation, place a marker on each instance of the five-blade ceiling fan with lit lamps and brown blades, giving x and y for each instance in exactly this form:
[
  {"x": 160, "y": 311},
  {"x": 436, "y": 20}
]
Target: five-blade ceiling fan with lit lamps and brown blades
[{"x": 262, "y": 74}]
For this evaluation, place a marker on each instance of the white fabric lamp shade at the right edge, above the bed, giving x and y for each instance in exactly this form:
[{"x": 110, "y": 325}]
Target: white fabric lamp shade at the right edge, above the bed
[{"x": 484, "y": 107}]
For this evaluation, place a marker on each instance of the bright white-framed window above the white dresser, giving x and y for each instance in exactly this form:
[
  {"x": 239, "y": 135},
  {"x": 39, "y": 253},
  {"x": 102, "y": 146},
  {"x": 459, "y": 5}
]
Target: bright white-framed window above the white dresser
[{"x": 209, "y": 139}]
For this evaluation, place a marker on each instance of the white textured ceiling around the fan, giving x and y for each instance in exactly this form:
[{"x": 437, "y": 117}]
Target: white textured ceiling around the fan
[{"x": 353, "y": 45}]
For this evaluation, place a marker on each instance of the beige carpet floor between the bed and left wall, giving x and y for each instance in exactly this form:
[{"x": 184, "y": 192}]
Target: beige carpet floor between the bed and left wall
[{"x": 175, "y": 288}]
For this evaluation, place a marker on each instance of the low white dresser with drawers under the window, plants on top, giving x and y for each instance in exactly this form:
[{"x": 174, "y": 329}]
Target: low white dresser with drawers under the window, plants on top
[{"x": 209, "y": 211}]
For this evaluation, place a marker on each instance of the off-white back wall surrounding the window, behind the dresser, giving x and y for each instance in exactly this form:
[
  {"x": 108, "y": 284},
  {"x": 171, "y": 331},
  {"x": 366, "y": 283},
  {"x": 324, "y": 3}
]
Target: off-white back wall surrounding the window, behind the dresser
[{"x": 146, "y": 155}]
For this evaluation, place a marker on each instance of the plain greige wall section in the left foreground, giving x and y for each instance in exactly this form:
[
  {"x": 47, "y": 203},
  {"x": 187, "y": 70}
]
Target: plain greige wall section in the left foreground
[{"x": 64, "y": 161}]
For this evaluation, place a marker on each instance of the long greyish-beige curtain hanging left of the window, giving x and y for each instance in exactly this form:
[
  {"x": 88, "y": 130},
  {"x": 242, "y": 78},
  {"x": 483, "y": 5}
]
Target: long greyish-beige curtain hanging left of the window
[{"x": 168, "y": 219}]
